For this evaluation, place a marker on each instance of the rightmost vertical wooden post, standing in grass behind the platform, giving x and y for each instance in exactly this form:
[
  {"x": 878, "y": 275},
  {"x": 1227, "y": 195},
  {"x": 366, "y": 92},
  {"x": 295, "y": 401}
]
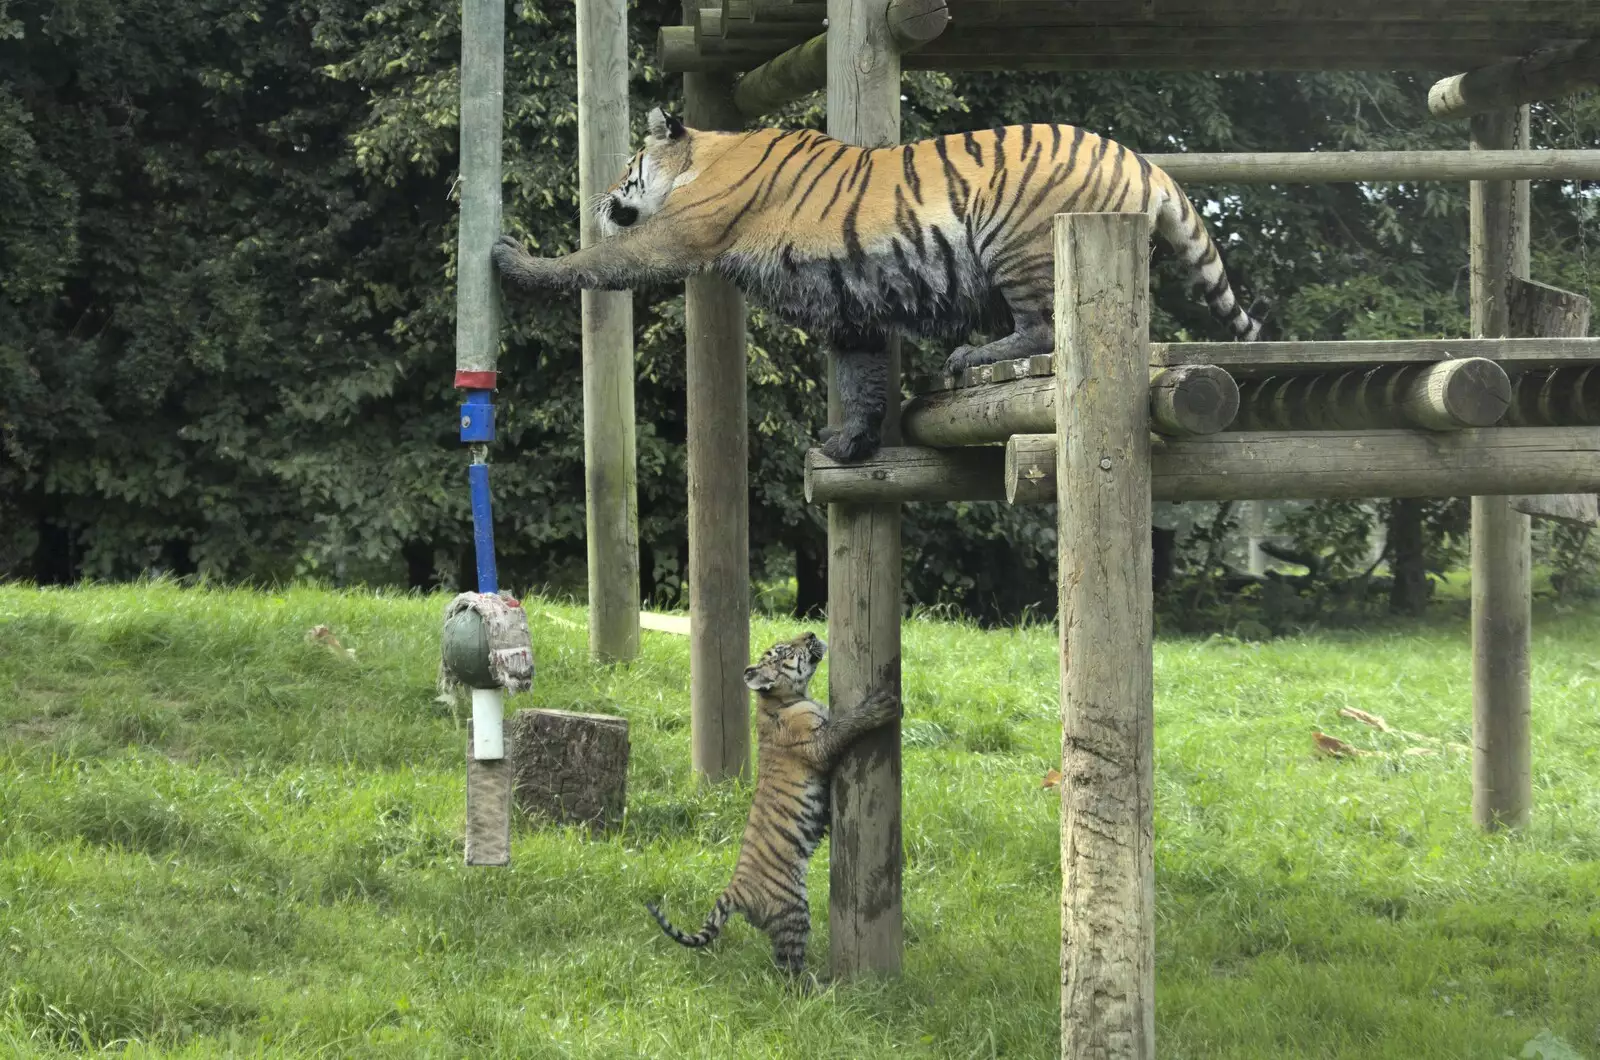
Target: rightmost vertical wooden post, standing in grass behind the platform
[{"x": 1502, "y": 539}]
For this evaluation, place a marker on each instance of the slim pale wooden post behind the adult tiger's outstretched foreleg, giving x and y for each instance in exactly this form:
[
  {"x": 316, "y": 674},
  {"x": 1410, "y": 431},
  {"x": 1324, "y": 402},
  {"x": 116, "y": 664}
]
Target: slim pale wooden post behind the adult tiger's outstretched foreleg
[{"x": 610, "y": 468}]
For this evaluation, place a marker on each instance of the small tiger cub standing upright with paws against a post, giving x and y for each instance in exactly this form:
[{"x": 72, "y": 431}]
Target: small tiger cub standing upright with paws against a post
[{"x": 798, "y": 744}]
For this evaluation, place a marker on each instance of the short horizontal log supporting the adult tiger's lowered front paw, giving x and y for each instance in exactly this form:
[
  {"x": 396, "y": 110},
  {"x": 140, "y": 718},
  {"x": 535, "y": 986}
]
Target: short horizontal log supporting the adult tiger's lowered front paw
[{"x": 930, "y": 475}]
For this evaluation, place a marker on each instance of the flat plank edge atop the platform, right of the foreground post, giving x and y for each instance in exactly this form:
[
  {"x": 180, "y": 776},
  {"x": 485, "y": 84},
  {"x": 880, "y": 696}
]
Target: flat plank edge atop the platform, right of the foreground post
[{"x": 1255, "y": 359}]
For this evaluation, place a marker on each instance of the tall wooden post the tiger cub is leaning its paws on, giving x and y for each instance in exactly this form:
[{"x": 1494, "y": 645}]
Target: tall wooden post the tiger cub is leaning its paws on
[{"x": 865, "y": 571}]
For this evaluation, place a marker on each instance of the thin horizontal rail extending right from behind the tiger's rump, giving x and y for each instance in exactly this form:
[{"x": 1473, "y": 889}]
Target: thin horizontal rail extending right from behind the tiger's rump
[{"x": 1334, "y": 167}]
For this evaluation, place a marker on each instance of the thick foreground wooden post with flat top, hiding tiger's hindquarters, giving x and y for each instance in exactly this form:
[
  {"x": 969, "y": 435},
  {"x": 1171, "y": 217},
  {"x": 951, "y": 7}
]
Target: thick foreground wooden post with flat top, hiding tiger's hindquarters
[{"x": 1108, "y": 694}]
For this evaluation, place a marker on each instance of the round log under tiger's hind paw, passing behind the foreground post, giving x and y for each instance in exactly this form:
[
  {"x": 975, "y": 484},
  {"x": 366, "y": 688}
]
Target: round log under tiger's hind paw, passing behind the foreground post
[{"x": 1185, "y": 401}]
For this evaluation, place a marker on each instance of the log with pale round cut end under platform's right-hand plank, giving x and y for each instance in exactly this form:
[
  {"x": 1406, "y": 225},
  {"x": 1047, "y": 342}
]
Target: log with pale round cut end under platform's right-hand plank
[{"x": 1444, "y": 396}]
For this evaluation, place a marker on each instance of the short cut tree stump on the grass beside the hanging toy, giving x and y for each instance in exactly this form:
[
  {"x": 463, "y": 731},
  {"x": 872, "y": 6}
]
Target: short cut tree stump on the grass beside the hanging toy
[{"x": 569, "y": 769}]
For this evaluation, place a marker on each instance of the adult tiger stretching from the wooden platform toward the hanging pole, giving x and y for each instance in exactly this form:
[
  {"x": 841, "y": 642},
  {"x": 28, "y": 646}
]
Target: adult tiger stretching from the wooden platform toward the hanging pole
[{"x": 857, "y": 244}]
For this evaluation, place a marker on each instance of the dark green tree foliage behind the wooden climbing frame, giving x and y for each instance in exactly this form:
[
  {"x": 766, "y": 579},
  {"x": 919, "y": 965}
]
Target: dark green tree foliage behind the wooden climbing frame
[{"x": 226, "y": 294}]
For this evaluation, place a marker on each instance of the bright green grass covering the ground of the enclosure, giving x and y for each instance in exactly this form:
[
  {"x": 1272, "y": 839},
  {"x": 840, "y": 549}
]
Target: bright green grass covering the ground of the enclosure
[{"x": 218, "y": 840}]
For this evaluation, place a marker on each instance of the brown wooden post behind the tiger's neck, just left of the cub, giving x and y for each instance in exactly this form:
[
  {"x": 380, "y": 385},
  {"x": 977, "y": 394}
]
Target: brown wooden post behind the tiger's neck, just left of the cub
[{"x": 719, "y": 492}]
